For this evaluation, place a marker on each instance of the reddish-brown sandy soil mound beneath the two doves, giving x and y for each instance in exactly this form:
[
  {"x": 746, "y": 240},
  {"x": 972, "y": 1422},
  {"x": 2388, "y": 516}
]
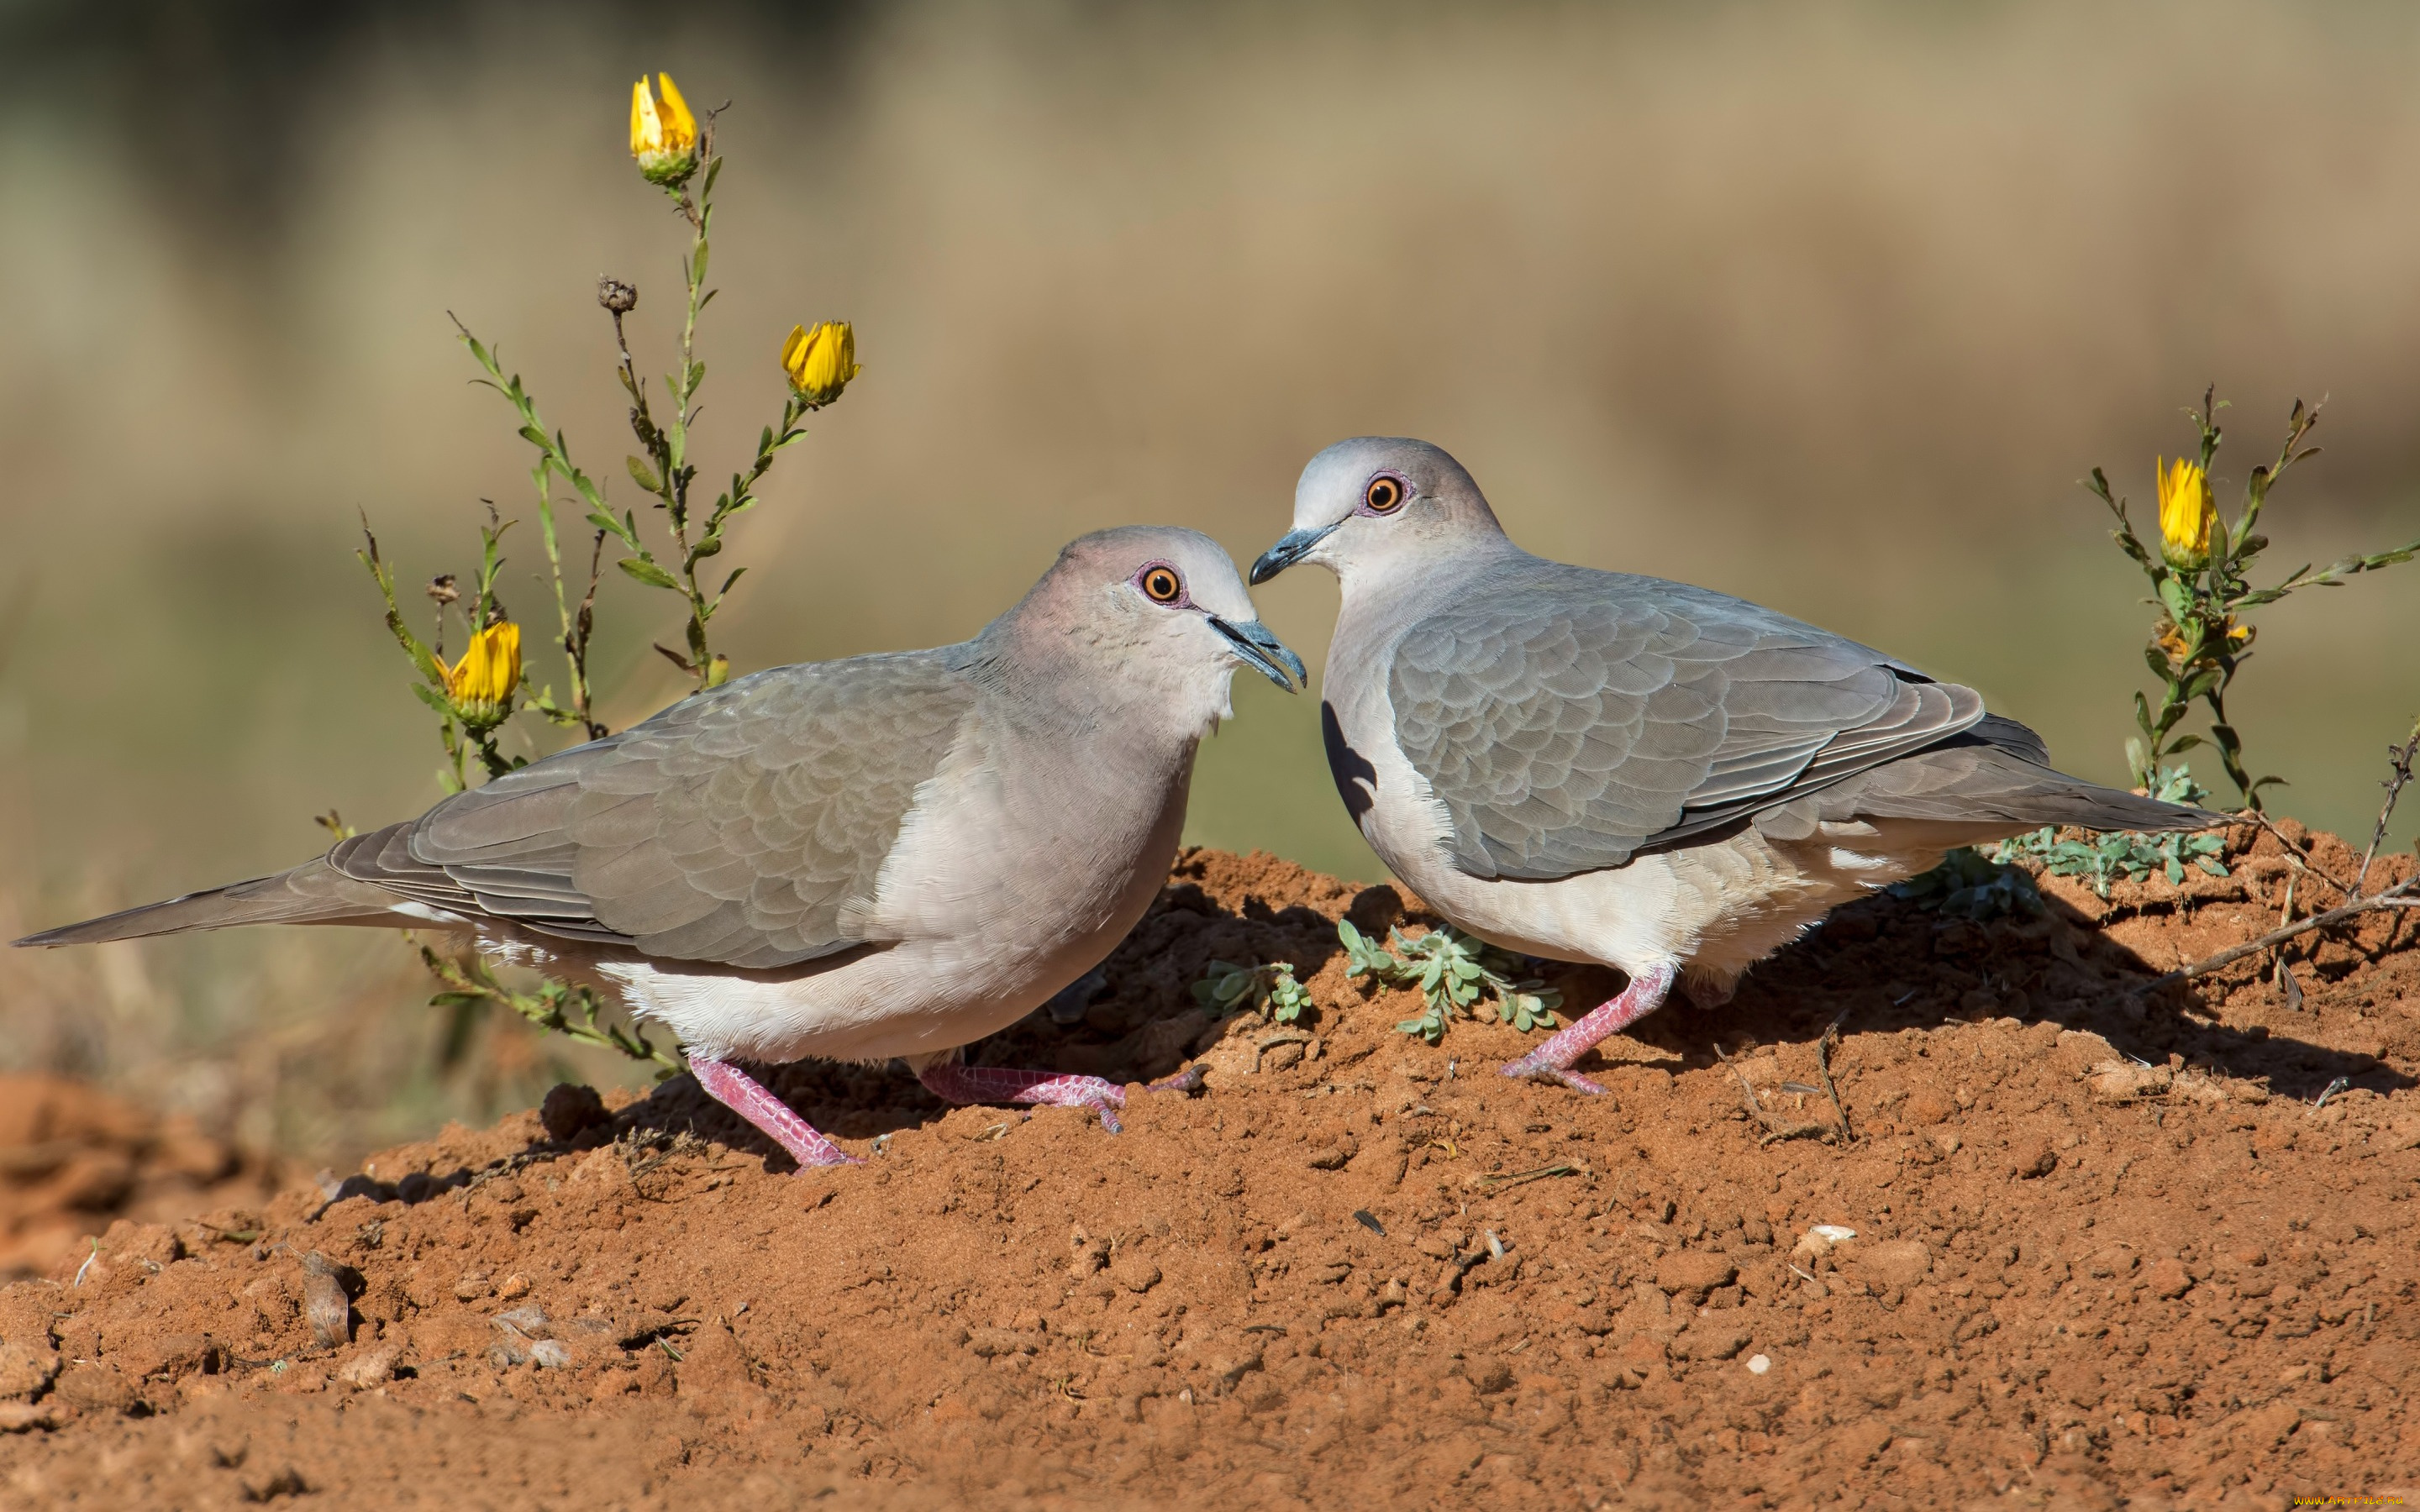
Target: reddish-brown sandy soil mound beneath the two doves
[{"x": 2107, "y": 1254}]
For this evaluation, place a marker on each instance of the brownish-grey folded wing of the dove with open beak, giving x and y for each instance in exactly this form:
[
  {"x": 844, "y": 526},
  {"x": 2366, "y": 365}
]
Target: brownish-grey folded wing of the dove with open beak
[{"x": 744, "y": 826}]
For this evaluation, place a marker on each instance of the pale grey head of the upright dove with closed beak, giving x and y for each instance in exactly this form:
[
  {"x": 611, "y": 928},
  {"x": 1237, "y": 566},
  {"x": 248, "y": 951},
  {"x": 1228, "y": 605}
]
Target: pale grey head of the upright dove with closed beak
[{"x": 1383, "y": 502}]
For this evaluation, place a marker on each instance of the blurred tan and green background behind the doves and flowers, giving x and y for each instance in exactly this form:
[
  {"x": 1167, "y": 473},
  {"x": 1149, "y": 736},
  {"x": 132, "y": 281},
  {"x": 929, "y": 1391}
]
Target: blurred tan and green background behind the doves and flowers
[{"x": 1828, "y": 306}]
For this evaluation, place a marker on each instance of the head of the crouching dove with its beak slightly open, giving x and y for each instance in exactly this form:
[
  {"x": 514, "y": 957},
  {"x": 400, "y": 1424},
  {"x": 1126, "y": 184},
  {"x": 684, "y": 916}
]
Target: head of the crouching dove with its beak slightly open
[{"x": 1148, "y": 616}]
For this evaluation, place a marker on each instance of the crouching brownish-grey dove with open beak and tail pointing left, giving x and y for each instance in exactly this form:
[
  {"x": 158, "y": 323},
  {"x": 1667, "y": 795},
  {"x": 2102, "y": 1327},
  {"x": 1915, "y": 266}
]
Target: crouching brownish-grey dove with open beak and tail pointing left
[{"x": 855, "y": 860}]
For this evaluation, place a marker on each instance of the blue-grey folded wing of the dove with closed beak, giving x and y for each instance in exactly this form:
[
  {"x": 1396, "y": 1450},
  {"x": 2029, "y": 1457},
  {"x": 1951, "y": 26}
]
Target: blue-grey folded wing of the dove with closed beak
[{"x": 1569, "y": 717}]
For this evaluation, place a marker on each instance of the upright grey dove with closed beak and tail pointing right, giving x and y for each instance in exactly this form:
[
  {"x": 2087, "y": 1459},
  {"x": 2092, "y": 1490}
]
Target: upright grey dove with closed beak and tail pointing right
[{"x": 1594, "y": 766}]
